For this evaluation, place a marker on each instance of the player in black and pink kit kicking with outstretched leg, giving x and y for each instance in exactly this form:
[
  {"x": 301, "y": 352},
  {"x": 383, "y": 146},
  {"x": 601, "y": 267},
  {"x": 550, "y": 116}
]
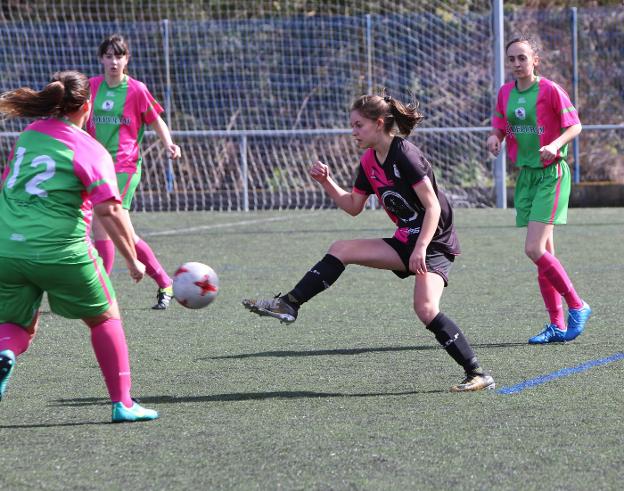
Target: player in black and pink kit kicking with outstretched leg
[{"x": 424, "y": 244}]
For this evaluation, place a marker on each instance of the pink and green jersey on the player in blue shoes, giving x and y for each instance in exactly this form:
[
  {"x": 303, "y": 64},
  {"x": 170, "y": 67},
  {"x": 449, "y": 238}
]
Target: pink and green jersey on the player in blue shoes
[{"x": 533, "y": 118}]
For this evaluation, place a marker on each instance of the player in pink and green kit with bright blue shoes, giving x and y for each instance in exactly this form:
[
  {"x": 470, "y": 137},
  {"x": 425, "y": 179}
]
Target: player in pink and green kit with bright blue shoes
[{"x": 537, "y": 119}]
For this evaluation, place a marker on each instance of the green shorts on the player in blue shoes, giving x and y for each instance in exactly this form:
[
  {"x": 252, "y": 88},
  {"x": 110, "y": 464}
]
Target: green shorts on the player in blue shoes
[{"x": 542, "y": 195}]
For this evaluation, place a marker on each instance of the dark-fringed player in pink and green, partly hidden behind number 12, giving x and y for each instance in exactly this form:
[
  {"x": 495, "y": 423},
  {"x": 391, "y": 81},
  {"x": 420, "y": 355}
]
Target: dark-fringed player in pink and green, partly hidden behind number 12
[{"x": 121, "y": 107}]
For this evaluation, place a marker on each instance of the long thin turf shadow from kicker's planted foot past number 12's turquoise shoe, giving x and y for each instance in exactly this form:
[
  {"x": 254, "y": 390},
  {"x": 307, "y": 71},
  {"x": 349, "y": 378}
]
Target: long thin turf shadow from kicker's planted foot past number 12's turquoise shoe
[{"x": 241, "y": 396}]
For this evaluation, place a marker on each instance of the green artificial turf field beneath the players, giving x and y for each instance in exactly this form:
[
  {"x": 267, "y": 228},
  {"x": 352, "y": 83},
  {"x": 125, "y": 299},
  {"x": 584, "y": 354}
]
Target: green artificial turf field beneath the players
[{"x": 354, "y": 395}]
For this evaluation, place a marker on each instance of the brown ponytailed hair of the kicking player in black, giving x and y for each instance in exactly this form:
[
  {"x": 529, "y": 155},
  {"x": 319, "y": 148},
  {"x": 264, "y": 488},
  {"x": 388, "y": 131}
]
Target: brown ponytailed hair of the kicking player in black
[{"x": 394, "y": 113}]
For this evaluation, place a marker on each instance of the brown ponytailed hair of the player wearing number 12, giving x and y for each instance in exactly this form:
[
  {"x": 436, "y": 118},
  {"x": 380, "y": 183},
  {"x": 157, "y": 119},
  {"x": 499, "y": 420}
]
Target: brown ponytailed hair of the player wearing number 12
[{"x": 65, "y": 94}]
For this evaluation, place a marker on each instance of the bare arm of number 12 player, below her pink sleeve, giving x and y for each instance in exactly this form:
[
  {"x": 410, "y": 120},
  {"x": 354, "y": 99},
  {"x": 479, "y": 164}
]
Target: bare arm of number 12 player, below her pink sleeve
[{"x": 113, "y": 219}]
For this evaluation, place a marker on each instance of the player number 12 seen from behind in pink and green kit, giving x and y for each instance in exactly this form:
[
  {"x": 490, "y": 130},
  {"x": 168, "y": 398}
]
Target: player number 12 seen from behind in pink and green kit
[{"x": 57, "y": 175}]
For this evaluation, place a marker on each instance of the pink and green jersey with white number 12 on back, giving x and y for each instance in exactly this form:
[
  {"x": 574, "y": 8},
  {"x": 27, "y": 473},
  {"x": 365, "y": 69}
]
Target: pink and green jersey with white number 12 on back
[{"x": 56, "y": 173}]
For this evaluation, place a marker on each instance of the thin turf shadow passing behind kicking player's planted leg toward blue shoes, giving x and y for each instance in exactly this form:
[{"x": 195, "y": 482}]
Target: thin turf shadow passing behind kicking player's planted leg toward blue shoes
[{"x": 352, "y": 351}]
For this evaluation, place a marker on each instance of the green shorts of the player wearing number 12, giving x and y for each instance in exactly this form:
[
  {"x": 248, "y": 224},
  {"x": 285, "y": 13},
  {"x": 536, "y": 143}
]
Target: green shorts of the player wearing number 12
[{"x": 75, "y": 291}]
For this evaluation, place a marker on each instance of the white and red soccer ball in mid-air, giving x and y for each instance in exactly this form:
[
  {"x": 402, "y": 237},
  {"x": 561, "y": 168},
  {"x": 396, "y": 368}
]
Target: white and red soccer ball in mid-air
[{"x": 195, "y": 285}]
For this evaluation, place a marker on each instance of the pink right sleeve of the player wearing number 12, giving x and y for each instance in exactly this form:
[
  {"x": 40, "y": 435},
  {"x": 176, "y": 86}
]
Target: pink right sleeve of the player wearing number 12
[{"x": 94, "y": 167}]
